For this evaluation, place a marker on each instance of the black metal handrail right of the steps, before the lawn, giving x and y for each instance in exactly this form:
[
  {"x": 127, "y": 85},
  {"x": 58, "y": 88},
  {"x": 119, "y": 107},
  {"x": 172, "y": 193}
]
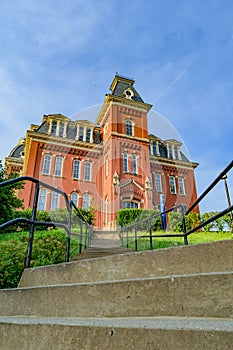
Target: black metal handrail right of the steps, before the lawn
[{"x": 184, "y": 213}]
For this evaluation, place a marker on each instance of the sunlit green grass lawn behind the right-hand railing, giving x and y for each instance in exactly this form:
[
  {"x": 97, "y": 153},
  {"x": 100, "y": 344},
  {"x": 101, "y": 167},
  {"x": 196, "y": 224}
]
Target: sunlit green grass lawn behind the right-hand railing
[{"x": 166, "y": 242}]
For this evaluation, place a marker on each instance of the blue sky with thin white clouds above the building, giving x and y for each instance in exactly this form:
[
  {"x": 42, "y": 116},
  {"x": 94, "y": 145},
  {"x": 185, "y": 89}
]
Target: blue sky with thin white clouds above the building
[{"x": 60, "y": 57}]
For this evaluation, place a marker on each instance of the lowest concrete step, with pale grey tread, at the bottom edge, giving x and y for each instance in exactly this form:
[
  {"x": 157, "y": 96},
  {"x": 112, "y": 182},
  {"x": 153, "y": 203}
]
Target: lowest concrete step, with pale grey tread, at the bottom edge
[{"x": 164, "y": 333}]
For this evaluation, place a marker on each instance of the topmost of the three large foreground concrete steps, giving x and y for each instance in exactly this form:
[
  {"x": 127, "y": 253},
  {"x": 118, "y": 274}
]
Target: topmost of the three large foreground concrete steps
[{"x": 192, "y": 259}]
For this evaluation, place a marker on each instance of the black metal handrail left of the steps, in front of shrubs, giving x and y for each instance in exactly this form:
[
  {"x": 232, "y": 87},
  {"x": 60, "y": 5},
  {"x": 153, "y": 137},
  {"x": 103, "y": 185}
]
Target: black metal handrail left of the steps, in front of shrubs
[{"x": 33, "y": 222}]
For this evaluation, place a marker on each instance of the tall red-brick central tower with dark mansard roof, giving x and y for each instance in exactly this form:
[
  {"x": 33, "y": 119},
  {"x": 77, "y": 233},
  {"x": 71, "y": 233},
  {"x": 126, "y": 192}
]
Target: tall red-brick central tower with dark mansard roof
[{"x": 124, "y": 172}]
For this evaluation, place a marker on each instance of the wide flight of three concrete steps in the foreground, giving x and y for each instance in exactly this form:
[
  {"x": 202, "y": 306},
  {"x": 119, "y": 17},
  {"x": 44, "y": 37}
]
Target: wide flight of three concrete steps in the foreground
[{"x": 176, "y": 298}]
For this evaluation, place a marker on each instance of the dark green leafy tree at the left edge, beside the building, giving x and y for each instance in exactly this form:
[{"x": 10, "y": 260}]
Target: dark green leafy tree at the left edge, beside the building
[{"x": 8, "y": 198}]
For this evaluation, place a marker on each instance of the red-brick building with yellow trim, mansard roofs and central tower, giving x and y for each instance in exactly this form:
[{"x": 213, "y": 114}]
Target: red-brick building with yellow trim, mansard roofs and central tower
[{"x": 111, "y": 164}]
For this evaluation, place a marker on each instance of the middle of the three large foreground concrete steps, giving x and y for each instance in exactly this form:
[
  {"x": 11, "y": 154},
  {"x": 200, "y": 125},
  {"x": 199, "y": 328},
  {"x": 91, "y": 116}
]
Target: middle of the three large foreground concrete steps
[{"x": 194, "y": 295}]
